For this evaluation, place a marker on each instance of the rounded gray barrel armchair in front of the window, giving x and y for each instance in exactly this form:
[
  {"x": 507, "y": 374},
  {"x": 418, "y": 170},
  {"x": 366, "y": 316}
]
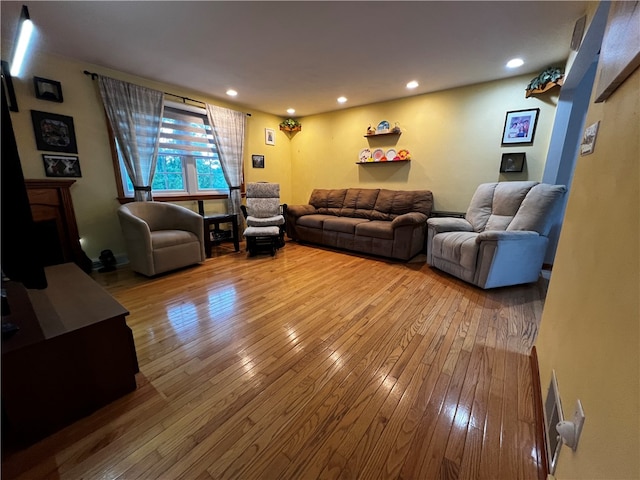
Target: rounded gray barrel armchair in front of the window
[{"x": 161, "y": 236}]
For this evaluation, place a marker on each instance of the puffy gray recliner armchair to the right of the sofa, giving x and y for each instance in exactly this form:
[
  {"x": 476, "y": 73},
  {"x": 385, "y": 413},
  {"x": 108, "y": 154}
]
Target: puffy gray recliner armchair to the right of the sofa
[{"x": 503, "y": 238}]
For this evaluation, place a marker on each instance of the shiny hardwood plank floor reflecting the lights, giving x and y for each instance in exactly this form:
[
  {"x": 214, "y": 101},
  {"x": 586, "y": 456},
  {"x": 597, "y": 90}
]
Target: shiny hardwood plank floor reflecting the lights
[{"x": 312, "y": 364}]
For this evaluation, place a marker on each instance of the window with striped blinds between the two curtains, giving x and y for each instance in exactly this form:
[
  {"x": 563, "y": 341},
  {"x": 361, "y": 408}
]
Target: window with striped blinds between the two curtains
[{"x": 188, "y": 162}]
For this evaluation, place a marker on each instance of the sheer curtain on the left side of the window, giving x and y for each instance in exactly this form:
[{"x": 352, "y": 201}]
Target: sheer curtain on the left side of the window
[{"x": 135, "y": 114}]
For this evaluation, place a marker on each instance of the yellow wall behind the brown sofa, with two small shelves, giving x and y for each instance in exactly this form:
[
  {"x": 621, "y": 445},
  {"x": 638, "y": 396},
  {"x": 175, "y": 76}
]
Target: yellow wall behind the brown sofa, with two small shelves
[{"x": 454, "y": 137}]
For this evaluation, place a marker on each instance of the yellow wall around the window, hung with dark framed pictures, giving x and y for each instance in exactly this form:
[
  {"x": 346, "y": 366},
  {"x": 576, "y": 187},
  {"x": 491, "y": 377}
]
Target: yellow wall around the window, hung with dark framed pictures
[{"x": 94, "y": 194}]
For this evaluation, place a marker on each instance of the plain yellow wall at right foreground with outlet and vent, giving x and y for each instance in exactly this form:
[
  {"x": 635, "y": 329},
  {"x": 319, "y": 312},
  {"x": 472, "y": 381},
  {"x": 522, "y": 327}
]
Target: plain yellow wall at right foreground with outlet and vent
[{"x": 590, "y": 331}]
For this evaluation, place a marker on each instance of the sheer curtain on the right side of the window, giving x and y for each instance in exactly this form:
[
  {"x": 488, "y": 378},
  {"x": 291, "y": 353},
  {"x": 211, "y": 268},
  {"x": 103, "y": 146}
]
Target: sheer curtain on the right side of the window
[{"x": 228, "y": 131}]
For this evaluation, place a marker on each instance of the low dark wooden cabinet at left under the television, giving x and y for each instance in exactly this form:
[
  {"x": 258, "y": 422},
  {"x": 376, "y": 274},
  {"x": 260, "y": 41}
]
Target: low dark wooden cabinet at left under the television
[{"x": 73, "y": 353}]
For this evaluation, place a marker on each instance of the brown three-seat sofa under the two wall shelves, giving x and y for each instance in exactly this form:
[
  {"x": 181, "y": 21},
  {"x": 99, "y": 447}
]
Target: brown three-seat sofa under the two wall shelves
[{"x": 389, "y": 223}]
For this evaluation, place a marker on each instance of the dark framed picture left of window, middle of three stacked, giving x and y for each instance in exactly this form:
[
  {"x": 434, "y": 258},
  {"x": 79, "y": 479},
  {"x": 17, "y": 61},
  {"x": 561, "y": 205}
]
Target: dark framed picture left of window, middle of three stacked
[{"x": 54, "y": 132}]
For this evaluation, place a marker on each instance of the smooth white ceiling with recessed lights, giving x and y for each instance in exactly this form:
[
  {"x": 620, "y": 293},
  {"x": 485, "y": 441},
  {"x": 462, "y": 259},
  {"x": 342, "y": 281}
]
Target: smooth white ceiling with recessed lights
[{"x": 305, "y": 54}]
